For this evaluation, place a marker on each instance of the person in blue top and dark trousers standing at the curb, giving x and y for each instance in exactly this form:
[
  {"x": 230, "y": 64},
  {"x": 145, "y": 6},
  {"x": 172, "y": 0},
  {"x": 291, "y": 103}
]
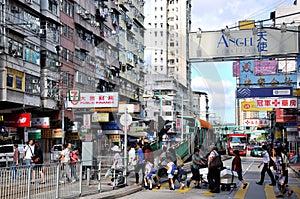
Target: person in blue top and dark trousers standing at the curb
[{"x": 140, "y": 164}]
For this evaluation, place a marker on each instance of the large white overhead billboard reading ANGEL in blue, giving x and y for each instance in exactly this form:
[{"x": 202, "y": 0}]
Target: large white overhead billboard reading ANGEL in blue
[{"x": 242, "y": 43}]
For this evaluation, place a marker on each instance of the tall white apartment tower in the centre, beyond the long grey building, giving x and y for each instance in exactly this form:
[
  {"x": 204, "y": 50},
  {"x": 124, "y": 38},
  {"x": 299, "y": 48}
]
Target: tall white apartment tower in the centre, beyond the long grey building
[{"x": 169, "y": 77}]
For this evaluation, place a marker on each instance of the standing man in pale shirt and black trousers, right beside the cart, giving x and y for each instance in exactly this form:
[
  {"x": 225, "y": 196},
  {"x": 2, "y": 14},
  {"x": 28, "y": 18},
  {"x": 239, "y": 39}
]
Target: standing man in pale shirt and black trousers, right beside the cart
[{"x": 213, "y": 172}]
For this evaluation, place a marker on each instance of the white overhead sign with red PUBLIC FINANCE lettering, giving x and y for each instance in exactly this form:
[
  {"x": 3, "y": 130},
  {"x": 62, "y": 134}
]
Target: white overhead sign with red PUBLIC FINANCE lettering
[{"x": 95, "y": 100}]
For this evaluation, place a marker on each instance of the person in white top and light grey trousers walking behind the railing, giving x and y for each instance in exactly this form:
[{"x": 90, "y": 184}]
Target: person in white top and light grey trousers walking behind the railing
[{"x": 65, "y": 163}]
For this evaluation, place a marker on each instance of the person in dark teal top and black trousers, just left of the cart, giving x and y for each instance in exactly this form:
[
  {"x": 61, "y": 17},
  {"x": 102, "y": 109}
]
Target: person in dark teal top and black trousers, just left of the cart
[{"x": 195, "y": 166}]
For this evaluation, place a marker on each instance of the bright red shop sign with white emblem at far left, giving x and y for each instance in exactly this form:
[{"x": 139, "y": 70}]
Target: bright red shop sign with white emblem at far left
[{"x": 18, "y": 120}]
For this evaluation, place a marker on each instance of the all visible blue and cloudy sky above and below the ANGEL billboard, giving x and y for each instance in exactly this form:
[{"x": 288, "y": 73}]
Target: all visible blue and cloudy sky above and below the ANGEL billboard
[{"x": 216, "y": 78}]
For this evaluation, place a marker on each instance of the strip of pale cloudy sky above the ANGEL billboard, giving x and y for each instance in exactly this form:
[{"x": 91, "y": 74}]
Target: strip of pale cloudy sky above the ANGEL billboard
[{"x": 215, "y": 15}]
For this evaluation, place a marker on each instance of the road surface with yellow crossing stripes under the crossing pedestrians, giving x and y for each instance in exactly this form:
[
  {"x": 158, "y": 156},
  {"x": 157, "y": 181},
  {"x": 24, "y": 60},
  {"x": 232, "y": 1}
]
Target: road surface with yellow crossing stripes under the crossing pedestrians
[{"x": 251, "y": 175}]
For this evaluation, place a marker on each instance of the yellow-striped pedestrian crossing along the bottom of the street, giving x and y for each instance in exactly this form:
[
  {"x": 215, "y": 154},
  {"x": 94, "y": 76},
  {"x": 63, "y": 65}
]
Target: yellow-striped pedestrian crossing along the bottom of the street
[{"x": 239, "y": 193}]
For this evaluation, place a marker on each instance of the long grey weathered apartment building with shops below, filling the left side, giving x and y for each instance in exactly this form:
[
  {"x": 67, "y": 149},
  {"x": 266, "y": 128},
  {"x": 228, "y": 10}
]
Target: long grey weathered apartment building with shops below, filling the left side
[{"x": 51, "y": 47}]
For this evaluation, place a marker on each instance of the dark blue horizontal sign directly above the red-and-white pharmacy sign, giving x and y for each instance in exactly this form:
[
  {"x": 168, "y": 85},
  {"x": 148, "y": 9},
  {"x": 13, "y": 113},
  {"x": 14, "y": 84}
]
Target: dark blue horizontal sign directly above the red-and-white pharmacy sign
[{"x": 264, "y": 92}]
